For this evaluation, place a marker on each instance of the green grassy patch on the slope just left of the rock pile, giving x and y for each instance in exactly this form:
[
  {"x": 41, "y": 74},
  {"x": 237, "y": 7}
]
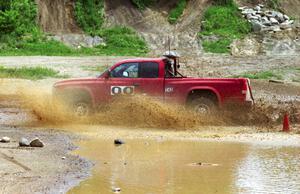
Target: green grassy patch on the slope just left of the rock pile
[{"x": 226, "y": 23}]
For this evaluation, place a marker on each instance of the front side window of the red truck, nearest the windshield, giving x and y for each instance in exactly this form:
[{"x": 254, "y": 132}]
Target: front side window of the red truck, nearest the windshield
[{"x": 126, "y": 70}]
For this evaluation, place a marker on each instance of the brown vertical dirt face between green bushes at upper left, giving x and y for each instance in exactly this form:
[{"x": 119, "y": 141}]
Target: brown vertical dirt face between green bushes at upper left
[{"x": 57, "y": 16}]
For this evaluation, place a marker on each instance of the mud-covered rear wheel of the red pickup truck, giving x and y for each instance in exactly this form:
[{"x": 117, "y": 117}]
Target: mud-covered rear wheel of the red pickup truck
[{"x": 203, "y": 106}]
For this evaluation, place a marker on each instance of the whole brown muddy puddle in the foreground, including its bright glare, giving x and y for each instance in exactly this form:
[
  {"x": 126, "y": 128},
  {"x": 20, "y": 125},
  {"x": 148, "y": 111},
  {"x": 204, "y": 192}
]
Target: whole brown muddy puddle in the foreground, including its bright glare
[{"x": 158, "y": 166}]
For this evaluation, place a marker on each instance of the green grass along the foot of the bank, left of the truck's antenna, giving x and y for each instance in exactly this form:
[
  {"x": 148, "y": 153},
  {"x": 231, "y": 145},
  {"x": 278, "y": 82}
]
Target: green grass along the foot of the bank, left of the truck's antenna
[{"x": 120, "y": 41}]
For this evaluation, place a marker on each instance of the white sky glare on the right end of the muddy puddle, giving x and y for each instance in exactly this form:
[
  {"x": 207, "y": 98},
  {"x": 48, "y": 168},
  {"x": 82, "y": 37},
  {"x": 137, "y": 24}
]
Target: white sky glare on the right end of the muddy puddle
[{"x": 270, "y": 170}]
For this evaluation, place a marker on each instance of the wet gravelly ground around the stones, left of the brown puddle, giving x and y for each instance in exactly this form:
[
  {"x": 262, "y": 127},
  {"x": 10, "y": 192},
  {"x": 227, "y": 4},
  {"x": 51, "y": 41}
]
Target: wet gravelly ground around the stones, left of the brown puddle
[{"x": 51, "y": 169}]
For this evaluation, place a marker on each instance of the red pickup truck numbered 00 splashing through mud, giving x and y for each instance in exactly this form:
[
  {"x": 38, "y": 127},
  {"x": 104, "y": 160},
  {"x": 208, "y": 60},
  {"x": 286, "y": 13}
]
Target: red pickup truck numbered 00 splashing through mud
[{"x": 155, "y": 77}]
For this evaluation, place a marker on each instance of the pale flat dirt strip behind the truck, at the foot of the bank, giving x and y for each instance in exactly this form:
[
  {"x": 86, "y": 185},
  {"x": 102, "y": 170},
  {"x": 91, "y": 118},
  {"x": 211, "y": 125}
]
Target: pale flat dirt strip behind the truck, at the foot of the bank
[{"x": 208, "y": 65}]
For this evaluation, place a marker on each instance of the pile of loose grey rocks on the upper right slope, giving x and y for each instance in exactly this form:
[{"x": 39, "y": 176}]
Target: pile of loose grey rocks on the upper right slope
[{"x": 266, "y": 20}]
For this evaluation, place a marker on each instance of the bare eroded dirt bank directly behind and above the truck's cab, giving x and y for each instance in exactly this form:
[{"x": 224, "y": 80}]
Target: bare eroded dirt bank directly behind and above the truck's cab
[{"x": 153, "y": 24}]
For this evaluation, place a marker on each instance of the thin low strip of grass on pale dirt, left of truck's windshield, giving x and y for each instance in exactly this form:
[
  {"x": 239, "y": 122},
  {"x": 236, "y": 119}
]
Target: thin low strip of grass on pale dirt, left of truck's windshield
[{"x": 32, "y": 73}]
